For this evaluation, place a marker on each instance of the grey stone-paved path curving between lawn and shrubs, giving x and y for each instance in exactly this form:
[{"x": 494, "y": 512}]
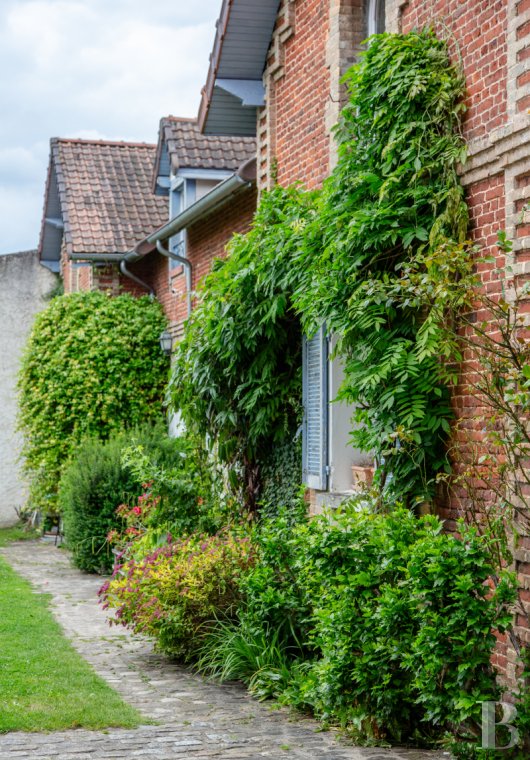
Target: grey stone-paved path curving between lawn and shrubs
[{"x": 196, "y": 719}]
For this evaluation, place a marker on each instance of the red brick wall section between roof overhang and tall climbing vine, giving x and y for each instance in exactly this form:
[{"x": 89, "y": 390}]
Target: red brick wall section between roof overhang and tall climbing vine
[{"x": 314, "y": 43}]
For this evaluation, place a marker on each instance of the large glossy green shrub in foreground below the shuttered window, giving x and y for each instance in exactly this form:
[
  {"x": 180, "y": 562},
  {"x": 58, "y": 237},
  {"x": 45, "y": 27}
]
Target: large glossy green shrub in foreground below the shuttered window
[{"x": 403, "y": 620}]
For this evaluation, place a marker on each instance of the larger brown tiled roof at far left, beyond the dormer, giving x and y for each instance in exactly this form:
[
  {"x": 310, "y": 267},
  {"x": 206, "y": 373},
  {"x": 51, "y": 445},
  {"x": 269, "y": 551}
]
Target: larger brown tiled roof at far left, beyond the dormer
[{"x": 105, "y": 194}]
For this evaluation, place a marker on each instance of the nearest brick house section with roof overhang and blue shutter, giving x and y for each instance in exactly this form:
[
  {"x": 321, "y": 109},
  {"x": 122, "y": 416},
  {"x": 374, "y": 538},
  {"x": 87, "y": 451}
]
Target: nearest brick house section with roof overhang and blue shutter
[{"x": 275, "y": 72}]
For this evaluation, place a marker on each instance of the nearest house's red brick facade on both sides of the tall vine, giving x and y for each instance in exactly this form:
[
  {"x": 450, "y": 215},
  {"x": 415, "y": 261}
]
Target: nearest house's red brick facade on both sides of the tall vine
[{"x": 312, "y": 43}]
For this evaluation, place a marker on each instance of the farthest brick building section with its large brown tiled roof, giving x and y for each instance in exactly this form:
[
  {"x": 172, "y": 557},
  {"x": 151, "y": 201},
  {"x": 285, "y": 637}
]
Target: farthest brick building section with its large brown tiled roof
[{"x": 98, "y": 204}]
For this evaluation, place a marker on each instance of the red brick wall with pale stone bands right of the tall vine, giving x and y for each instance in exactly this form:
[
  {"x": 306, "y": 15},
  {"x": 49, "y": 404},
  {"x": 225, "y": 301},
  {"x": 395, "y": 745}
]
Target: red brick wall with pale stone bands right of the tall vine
[{"x": 492, "y": 40}]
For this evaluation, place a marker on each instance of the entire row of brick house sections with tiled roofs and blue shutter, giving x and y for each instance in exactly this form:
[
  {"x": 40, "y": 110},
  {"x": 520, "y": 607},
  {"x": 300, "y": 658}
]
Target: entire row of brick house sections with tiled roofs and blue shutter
[{"x": 274, "y": 77}]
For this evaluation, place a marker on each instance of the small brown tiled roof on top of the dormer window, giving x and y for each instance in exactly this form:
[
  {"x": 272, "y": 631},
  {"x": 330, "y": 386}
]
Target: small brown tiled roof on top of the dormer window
[{"x": 188, "y": 148}]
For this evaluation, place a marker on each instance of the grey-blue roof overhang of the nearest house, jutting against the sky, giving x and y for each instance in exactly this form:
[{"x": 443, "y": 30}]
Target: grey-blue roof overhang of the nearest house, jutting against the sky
[{"x": 234, "y": 87}]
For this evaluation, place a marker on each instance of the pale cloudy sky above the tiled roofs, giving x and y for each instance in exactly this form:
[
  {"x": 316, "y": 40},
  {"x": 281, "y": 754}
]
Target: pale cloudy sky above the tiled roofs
[{"x": 98, "y": 69}]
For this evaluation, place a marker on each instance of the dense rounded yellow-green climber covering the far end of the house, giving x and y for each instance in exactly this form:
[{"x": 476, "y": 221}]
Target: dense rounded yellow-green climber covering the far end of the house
[{"x": 91, "y": 366}]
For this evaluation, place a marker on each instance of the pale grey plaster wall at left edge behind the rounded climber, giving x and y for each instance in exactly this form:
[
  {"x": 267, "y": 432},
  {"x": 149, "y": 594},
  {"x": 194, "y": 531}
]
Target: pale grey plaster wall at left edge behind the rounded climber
[{"x": 23, "y": 285}]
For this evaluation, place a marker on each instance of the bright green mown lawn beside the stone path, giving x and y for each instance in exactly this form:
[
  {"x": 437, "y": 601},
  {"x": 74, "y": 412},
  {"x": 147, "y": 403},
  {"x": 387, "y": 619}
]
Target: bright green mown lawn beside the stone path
[{"x": 44, "y": 684}]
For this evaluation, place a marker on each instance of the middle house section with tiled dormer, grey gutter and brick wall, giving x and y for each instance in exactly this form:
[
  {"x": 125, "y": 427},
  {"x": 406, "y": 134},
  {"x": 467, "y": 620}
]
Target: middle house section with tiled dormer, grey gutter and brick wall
[{"x": 209, "y": 188}]
